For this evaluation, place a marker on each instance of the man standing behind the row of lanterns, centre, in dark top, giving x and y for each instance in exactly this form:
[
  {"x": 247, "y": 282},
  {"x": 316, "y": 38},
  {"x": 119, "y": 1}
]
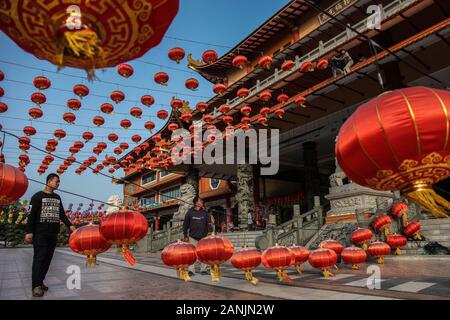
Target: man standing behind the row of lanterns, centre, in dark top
[{"x": 197, "y": 222}]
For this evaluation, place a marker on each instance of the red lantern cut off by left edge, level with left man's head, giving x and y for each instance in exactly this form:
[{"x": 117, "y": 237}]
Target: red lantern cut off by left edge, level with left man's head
[{"x": 13, "y": 184}]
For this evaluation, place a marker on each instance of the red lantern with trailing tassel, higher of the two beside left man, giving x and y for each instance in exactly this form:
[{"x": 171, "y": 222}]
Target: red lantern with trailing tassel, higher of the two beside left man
[{"x": 124, "y": 228}]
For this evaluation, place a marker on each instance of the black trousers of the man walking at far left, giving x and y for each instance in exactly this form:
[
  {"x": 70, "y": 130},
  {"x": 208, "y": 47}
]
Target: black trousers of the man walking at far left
[{"x": 44, "y": 246}]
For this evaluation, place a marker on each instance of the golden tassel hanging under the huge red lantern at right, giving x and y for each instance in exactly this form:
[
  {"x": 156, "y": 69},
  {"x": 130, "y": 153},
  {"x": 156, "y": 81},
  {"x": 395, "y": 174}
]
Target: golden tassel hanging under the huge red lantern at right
[{"x": 438, "y": 206}]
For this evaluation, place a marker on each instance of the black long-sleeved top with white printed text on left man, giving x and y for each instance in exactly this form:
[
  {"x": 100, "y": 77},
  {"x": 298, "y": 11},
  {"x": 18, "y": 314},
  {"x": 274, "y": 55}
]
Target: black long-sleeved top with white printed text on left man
[{"x": 46, "y": 212}]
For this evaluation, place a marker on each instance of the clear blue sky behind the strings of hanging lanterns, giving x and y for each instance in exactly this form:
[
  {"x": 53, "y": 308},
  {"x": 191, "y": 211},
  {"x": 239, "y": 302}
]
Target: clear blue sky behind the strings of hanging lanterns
[{"x": 199, "y": 25}]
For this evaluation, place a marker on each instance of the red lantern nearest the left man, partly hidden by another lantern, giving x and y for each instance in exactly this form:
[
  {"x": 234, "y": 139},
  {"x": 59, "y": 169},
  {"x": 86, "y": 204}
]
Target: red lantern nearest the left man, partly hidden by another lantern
[{"x": 88, "y": 241}]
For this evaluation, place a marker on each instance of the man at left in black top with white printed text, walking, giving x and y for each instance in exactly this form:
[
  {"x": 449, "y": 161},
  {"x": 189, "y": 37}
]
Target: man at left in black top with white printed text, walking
[{"x": 46, "y": 210}]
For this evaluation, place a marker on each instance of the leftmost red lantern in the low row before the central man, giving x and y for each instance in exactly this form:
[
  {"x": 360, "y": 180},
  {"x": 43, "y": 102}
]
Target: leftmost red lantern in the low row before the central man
[{"x": 179, "y": 255}]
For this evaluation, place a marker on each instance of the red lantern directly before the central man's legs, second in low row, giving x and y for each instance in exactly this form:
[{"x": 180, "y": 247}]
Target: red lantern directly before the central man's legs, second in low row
[{"x": 214, "y": 250}]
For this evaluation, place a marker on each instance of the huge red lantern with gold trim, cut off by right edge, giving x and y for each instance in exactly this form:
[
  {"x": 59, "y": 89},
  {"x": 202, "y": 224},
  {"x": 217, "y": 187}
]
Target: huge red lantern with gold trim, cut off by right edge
[{"x": 399, "y": 141}]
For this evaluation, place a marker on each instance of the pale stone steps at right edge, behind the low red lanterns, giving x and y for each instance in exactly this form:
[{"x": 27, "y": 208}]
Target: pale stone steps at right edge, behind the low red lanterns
[{"x": 433, "y": 230}]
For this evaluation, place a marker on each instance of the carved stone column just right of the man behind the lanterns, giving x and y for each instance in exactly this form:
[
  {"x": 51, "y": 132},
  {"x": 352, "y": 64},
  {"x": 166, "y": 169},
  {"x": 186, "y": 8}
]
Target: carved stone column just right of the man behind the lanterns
[{"x": 244, "y": 194}]
